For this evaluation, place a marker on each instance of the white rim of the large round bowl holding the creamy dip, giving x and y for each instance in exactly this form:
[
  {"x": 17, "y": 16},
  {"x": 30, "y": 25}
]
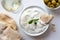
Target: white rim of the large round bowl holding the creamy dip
[{"x": 26, "y": 31}]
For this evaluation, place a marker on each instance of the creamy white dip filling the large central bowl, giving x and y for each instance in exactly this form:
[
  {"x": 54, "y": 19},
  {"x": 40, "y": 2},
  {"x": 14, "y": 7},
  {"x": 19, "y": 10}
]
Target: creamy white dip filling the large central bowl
[{"x": 29, "y": 14}]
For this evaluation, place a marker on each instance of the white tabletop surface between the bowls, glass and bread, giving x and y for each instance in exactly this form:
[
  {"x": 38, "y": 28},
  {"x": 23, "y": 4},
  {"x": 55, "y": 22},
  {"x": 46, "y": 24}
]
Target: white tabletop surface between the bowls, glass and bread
[{"x": 49, "y": 35}]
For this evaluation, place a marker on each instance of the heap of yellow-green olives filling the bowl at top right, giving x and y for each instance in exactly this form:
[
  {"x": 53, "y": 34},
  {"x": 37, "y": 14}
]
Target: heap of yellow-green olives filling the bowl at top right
[{"x": 52, "y": 3}]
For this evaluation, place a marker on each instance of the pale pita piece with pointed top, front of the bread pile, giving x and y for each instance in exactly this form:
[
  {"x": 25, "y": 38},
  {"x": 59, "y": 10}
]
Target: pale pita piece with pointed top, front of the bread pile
[{"x": 10, "y": 34}]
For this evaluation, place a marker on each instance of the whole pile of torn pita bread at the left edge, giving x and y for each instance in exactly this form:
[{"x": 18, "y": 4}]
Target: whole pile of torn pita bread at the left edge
[{"x": 8, "y": 28}]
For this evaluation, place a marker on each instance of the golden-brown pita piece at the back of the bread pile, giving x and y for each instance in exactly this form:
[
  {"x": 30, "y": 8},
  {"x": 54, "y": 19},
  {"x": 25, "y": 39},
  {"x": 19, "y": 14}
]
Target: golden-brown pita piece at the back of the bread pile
[{"x": 8, "y": 20}]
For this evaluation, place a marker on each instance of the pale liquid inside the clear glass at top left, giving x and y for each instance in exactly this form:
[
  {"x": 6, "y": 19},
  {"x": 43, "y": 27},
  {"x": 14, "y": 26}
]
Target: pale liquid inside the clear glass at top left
[{"x": 11, "y": 5}]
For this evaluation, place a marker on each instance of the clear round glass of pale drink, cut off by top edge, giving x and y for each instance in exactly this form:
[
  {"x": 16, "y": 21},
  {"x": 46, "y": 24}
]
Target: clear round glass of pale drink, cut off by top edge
[{"x": 10, "y": 6}]
